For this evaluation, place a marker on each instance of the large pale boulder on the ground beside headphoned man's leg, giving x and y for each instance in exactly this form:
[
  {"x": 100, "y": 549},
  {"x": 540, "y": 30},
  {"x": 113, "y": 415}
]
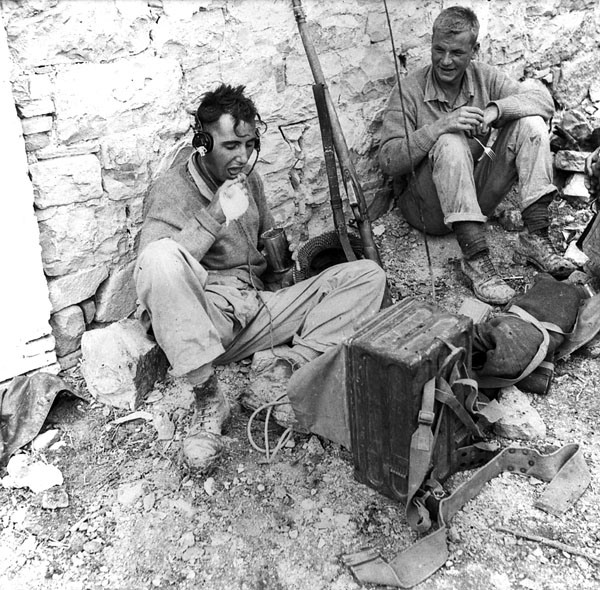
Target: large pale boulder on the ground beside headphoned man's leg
[{"x": 121, "y": 363}]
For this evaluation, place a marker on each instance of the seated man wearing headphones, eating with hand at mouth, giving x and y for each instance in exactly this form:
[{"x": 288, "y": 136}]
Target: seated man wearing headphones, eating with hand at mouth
[{"x": 199, "y": 269}]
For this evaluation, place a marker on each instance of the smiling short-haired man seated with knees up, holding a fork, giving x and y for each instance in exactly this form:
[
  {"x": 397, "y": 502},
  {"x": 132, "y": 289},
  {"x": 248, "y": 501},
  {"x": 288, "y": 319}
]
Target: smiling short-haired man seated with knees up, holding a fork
[{"x": 433, "y": 128}]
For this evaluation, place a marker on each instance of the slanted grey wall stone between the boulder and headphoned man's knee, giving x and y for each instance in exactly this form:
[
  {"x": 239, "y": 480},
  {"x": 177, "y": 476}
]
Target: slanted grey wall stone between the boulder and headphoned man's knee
[{"x": 116, "y": 298}]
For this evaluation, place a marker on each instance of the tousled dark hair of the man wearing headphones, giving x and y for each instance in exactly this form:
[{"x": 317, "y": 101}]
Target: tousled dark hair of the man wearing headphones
[{"x": 226, "y": 99}]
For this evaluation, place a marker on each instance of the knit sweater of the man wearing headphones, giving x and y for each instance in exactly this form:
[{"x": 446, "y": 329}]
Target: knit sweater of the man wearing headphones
[{"x": 176, "y": 209}]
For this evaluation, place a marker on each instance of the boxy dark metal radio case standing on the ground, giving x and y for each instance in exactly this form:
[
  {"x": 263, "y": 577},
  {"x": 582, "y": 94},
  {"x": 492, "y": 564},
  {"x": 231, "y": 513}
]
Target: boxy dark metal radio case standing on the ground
[{"x": 388, "y": 362}]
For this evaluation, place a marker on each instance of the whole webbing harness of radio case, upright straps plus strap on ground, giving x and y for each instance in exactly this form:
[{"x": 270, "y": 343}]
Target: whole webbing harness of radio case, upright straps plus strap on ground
[{"x": 565, "y": 469}]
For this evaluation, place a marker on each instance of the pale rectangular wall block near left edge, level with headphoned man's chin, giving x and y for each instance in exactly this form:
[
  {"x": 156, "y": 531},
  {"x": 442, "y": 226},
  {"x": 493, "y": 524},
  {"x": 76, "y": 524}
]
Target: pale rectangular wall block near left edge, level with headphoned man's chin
[{"x": 63, "y": 181}]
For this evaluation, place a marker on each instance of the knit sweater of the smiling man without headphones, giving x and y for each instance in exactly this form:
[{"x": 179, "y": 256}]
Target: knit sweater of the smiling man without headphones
[{"x": 424, "y": 102}]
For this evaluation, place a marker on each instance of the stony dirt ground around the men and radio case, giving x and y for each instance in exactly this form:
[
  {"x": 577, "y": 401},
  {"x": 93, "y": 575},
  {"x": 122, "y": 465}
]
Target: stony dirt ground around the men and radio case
[{"x": 136, "y": 518}]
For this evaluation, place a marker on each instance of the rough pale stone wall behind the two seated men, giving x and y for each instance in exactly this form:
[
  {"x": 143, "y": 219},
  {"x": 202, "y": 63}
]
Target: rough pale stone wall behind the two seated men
[{"x": 106, "y": 89}]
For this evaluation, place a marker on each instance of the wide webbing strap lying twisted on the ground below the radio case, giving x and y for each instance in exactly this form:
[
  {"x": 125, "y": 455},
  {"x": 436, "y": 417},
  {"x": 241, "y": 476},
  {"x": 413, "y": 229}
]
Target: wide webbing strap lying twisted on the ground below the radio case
[{"x": 565, "y": 469}]
